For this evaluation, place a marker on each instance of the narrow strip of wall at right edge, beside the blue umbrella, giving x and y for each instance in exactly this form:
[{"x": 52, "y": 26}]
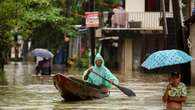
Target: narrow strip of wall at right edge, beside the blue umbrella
[{"x": 192, "y": 39}]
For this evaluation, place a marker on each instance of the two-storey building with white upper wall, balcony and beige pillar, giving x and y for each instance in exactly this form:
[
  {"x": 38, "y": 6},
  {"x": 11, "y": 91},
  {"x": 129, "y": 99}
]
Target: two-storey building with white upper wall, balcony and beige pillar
[{"x": 142, "y": 35}]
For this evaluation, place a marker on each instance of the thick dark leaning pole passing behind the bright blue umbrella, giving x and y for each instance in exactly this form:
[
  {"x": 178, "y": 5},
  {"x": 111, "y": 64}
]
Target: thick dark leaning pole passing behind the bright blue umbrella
[{"x": 181, "y": 40}]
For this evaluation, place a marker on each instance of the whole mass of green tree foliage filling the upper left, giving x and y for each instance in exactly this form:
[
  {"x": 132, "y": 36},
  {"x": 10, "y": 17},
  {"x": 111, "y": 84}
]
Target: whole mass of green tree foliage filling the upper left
[{"x": 43, "y": 19}]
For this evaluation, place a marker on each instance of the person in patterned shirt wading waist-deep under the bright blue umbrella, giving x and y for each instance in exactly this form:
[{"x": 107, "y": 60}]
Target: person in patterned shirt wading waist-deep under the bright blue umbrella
[{"x": 175, "y": 93}]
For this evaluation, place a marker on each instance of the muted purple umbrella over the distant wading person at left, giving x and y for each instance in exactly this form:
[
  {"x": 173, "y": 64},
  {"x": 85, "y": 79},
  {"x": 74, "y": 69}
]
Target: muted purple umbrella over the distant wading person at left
[{"x": 44, "y": 53}]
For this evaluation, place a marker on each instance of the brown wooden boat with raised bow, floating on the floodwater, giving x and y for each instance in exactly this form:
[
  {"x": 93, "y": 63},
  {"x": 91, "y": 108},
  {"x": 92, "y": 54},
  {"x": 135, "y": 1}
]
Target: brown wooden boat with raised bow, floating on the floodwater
[{"x": 73, "y": 89}]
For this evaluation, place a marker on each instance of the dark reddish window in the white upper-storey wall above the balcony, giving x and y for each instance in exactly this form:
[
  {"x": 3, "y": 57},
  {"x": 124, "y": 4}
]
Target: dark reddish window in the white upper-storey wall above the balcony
[{"x": 154, "y": 5}]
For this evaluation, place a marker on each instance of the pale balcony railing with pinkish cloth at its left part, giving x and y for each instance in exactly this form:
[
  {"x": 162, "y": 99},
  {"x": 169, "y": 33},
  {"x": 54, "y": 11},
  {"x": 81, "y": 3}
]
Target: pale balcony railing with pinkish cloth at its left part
[{"x": 134, "y": 20}]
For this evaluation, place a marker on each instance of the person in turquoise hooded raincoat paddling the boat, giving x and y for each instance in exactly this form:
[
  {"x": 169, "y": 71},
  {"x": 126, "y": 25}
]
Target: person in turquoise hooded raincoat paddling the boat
[{"x": 99, "y": 68}]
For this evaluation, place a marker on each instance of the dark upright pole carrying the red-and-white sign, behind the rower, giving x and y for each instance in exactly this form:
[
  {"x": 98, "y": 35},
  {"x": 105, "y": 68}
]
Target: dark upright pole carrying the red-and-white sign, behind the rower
[{"x": 92, "y": 33}]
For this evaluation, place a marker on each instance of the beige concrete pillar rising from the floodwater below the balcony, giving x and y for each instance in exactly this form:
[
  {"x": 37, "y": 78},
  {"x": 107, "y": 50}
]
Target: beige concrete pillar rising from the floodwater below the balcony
[{"x": 126, "y": 57}]
